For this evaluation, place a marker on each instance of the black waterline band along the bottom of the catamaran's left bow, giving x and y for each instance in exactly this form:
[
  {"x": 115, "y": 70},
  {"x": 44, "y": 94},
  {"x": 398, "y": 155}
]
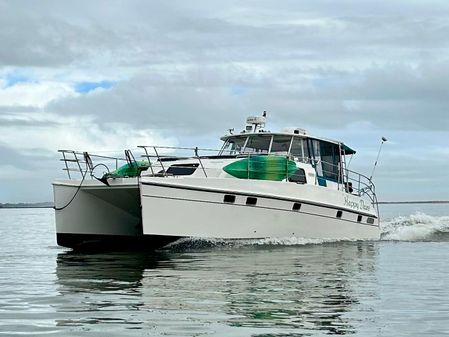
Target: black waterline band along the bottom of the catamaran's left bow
[{"x": 99, "y": 242}]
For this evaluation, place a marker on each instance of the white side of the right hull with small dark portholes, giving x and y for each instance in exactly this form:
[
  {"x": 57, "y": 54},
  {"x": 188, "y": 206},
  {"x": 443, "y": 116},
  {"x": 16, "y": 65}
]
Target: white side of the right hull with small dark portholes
[{"x": 193, "y": 207}]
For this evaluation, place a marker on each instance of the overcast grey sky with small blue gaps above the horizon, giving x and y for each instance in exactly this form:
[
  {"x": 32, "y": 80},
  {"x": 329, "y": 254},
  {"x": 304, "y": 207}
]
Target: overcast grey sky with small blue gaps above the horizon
[{"x": 109, "y": 75}]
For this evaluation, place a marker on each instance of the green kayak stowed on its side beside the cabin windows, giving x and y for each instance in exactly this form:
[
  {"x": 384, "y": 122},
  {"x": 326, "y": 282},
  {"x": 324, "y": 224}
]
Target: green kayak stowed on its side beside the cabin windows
[{"x": 262, "y": 168}]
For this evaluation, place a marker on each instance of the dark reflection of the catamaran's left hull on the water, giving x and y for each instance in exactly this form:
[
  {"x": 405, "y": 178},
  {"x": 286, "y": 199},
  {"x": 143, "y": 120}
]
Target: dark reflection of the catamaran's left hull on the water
[{"x": 102, "y": 288}]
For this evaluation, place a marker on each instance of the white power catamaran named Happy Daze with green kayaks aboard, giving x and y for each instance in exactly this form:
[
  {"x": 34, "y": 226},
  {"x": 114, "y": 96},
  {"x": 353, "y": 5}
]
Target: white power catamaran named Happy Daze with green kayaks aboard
[{"x": 259, "y": 185}]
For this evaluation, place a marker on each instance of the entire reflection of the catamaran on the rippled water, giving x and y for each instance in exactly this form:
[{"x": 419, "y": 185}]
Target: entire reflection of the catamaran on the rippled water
[{"x": 256, "y": 290}]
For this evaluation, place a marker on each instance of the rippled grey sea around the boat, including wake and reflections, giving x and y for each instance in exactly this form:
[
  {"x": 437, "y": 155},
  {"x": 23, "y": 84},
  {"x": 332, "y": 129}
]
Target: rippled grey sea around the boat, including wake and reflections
[{"x": 395, "y": 287}]
